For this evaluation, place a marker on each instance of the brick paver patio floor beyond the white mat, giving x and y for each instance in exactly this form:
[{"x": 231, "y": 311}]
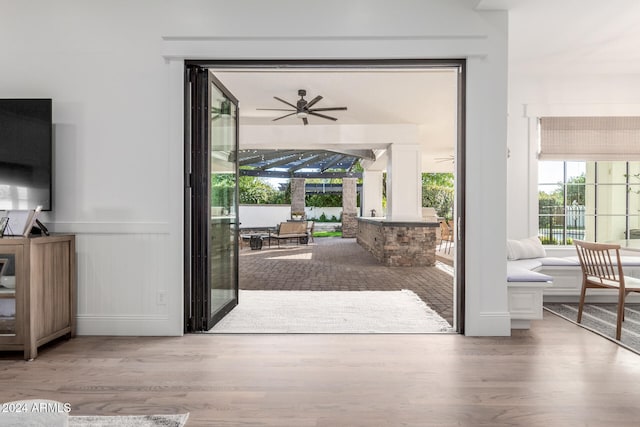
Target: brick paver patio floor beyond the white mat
[{"x": 336, "y": 264}]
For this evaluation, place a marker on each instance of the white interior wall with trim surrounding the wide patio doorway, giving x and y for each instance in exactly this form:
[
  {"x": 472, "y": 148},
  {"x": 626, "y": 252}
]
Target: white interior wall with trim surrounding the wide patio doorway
[{"x": 115, "y": 72}]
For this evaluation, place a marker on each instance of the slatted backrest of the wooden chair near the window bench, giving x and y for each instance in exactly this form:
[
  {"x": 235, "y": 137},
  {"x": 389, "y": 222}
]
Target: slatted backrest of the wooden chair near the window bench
[{"x": 600, "y": 262}]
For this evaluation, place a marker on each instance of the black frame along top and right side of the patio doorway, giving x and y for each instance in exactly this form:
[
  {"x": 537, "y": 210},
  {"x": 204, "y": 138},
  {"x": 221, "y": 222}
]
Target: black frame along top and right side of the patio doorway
[{"x": 460, "y": 157}]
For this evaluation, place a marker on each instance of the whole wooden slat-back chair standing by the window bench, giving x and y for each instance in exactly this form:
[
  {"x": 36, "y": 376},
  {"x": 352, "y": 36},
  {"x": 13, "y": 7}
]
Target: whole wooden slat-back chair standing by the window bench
[{"x": 601, "y": 268}]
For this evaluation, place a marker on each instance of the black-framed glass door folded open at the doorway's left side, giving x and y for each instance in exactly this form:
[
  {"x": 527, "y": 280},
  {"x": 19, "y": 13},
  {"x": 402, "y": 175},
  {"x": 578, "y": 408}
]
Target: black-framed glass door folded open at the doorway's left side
[{"x": 212, "y": 187}]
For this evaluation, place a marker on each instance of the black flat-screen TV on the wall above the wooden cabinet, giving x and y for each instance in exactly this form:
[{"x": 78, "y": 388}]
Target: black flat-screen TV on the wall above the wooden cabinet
[{"x": 25, "y": 154}]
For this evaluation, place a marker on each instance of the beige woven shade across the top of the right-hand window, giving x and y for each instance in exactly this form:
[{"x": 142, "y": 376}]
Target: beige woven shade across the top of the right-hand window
[{"x": 589, "y": 138}]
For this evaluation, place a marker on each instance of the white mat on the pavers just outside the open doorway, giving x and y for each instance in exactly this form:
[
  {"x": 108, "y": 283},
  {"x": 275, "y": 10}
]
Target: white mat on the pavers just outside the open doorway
[{"x": 331, "y": 312}]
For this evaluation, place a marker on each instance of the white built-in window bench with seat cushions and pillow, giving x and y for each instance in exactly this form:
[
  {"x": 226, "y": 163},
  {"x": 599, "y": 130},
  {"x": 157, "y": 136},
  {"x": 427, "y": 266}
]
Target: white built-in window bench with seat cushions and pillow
[{"x": 531, "y": 281}]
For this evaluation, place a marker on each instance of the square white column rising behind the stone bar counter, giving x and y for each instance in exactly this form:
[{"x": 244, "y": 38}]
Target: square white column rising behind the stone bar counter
[{"x": 404, "y": 182}]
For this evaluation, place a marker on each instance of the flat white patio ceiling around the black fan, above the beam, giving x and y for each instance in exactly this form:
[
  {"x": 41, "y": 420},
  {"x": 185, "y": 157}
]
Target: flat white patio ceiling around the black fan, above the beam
[{"x": 420, "y": 97}]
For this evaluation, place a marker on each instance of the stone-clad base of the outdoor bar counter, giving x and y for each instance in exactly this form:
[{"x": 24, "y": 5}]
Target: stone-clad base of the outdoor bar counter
[{"x": 399, "y": 244}]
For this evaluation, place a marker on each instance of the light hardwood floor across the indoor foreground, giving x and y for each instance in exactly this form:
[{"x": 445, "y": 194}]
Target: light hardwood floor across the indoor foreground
[{"x": 556, "y": 374}]
